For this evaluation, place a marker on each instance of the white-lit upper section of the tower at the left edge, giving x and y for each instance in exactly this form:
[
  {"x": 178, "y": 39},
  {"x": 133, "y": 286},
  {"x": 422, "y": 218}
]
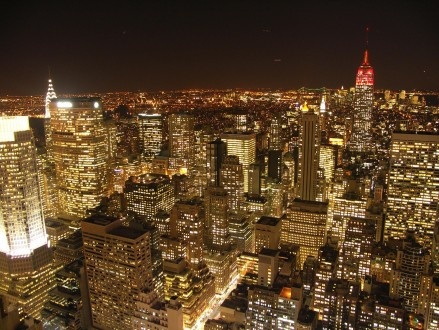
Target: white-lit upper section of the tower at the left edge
[{"x": 22, "y": 227}]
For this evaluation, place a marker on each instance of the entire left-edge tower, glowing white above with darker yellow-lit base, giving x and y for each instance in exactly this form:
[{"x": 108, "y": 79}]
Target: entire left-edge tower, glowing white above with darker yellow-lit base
[{"x": 25, "y": 258}]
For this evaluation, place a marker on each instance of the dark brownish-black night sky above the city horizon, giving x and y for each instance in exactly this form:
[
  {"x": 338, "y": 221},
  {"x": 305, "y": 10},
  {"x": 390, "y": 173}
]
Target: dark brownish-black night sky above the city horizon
[{"x": 107, "y": 46}]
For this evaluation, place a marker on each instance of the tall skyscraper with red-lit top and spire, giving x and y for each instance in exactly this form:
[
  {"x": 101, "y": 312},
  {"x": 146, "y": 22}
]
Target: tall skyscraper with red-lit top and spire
[{"x": 361, "y": 137}]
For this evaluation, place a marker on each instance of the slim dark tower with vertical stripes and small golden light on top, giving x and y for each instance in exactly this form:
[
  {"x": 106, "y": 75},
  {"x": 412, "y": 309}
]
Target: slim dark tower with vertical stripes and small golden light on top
[{"x": 309, "y": 155}]
